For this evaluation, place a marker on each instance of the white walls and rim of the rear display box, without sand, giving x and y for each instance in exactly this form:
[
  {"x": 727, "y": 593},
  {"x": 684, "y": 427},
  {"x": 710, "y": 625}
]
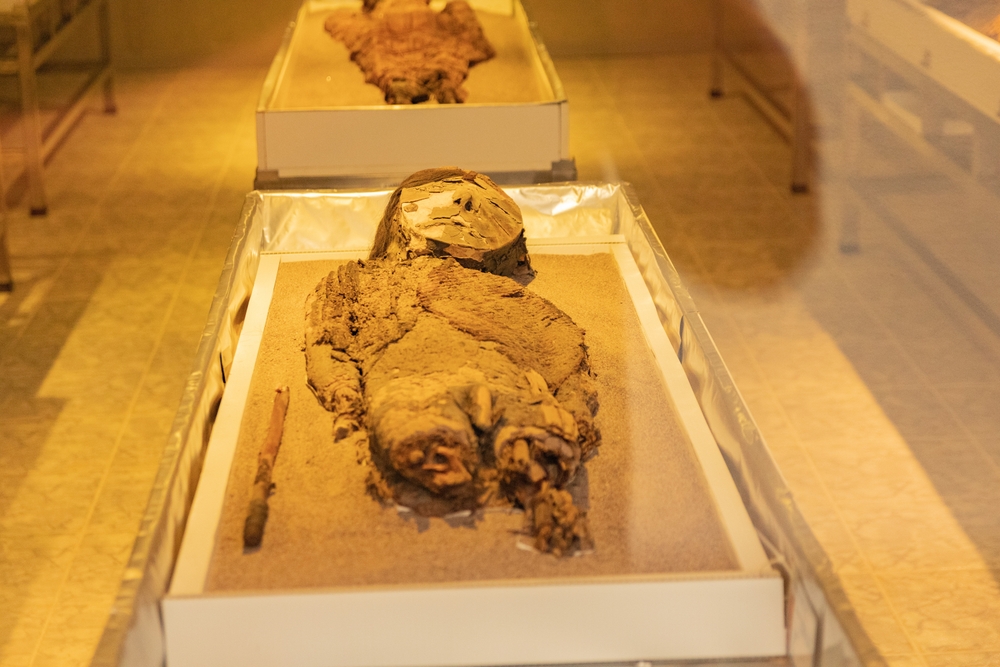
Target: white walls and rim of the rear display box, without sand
[{"x": 379, "y": 145}]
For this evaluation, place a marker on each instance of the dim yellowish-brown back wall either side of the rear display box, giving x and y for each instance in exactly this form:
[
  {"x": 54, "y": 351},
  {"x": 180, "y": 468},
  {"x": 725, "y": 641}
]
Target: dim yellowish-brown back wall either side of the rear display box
[{"x": 166, "y": 33}]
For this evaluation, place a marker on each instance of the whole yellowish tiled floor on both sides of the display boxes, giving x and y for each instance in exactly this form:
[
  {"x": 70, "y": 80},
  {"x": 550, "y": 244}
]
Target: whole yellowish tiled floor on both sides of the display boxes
[{"x": 872, "y": 383}]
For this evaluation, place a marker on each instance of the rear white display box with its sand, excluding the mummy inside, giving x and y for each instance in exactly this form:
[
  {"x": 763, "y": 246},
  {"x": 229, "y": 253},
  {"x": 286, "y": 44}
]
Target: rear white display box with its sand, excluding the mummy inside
[{"x": 319, "y": 123}]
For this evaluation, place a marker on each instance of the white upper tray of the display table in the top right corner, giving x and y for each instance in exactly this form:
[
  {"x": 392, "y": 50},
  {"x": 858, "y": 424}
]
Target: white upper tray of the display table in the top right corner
[{"x": 962, "y": 60}]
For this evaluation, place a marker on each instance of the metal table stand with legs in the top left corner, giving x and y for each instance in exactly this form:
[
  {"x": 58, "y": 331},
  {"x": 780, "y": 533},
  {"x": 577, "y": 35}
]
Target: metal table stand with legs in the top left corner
[{"x": 40, "y": 28}]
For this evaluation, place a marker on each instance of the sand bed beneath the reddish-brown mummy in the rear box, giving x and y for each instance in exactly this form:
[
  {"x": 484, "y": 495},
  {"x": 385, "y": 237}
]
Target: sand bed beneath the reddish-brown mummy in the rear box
[{"x": 321, "y": 75}]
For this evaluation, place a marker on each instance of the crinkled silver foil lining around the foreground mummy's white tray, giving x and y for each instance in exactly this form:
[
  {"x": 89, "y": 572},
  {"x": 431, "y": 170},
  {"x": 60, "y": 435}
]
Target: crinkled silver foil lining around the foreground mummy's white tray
[{"x": 822, "y": 628}]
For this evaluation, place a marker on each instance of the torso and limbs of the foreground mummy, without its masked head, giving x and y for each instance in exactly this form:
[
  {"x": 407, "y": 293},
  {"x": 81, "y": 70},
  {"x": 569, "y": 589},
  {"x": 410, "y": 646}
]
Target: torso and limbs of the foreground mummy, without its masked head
[{"x": 464, "y": 389}]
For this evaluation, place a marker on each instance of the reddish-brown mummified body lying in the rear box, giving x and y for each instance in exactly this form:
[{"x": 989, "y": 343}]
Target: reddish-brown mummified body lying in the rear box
[{"x": 411, "y": 52}]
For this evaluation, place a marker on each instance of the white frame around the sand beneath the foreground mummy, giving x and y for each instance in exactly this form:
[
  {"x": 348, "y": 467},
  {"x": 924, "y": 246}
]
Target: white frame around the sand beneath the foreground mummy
[{"x": 736, "y": 613}]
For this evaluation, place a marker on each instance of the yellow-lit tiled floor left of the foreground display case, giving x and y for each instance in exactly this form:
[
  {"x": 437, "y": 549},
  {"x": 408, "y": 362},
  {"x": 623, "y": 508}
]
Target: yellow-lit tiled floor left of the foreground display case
[{"x": 112, "y": 291}]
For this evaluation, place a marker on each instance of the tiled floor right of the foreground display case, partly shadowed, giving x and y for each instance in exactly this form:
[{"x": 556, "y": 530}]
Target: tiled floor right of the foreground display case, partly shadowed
[{"x": 872, "y": 380}]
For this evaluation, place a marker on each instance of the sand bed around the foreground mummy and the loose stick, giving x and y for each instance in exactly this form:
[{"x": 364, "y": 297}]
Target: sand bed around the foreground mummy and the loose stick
[{"x": 650, "y": 508}]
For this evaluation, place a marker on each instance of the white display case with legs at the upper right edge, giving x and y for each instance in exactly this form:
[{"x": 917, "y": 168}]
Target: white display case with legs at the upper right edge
[{"x": 929, "y": 79}]
